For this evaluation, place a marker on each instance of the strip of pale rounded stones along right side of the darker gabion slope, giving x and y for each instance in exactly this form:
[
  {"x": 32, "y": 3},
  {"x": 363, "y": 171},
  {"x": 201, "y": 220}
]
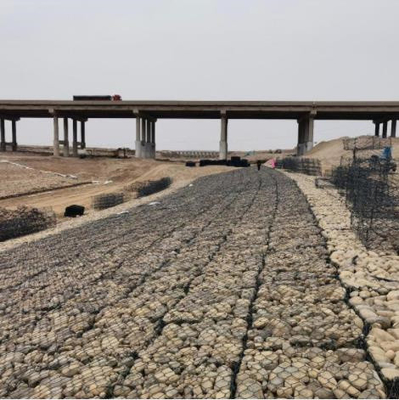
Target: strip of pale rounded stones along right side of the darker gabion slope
[{"x": 370, "y": 278}]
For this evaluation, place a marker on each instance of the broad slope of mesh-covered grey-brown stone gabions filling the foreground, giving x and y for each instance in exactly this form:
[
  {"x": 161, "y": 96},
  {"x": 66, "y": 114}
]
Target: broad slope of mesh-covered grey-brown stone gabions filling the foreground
[{"x": 224, "y": 289}]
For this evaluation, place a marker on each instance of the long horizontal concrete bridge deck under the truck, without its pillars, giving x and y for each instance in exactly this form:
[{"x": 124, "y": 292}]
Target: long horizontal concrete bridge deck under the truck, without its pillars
[{"x": 201, "y": 109}]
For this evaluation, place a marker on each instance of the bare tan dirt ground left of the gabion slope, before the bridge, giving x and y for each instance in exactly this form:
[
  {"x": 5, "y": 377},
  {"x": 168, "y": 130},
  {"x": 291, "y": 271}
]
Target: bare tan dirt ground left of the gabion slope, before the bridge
[{"x": 106, "y": 174}]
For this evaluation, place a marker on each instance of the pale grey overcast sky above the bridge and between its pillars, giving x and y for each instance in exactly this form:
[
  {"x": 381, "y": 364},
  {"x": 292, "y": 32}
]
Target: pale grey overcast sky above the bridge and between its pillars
[{"x": 310, "y": 50}]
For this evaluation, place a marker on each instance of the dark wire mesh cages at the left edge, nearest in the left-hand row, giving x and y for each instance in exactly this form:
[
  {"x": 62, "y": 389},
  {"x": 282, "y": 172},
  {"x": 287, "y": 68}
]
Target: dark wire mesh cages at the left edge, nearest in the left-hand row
[{"x": 24, "y": 220}]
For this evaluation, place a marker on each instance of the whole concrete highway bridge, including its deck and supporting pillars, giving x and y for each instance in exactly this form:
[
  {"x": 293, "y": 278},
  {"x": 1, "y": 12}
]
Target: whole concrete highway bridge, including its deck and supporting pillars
[{"x": 146, "y": 113}]
